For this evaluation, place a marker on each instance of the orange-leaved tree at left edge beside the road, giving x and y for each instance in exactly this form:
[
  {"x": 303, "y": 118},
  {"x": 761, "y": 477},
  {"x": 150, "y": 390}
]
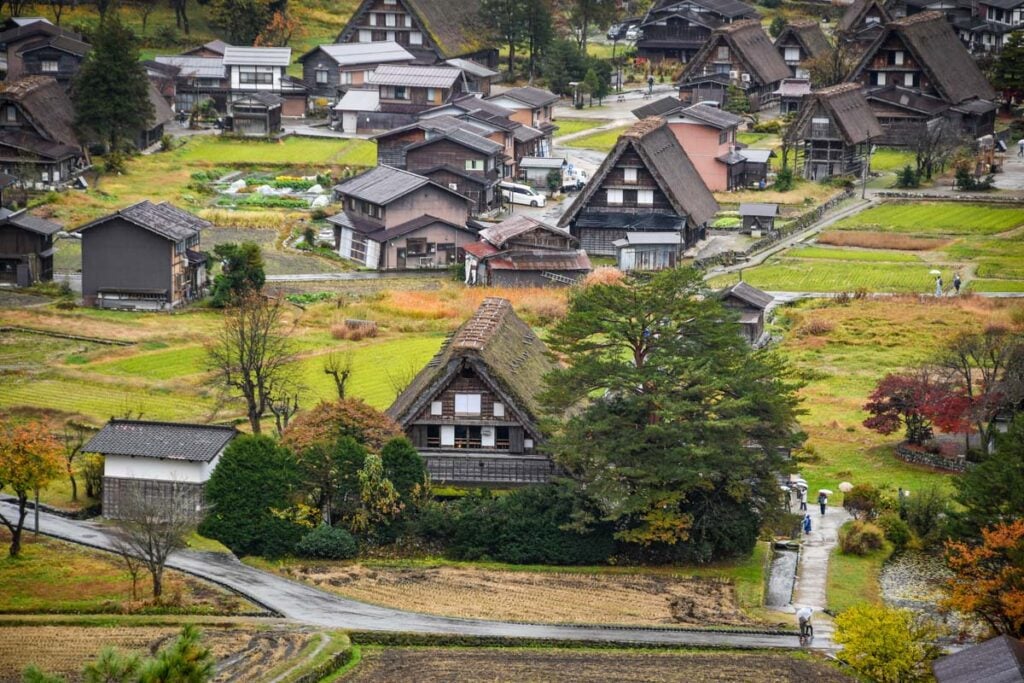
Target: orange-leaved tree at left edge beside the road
[{"x": 30, "y": 458}]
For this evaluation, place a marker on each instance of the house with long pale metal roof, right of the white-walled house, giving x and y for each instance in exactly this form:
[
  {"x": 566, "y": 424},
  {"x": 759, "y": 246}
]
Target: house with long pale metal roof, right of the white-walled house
[{"x": 331, "y": 70}]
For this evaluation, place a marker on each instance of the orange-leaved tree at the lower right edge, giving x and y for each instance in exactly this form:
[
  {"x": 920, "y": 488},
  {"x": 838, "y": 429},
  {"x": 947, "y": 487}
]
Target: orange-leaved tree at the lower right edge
[{"x": 989, "y": 578}]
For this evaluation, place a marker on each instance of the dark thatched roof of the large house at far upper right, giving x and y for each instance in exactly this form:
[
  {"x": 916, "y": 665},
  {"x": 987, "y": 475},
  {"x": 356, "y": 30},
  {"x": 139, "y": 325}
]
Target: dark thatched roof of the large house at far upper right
[{"x": 950, "y": 67}]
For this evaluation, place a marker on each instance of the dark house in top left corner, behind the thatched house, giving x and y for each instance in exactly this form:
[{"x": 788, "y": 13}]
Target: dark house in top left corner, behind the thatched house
[{"x": 36, "y": 48}]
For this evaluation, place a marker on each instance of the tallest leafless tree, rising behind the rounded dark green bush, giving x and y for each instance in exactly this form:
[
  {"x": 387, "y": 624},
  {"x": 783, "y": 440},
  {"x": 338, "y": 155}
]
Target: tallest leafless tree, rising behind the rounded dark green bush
[{"x": 251, "y": 354}]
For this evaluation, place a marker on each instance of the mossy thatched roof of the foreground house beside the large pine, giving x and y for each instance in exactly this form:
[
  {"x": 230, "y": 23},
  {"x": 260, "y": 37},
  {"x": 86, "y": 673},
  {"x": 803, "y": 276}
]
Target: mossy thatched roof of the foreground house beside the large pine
[{"x": 501, "y": 350}]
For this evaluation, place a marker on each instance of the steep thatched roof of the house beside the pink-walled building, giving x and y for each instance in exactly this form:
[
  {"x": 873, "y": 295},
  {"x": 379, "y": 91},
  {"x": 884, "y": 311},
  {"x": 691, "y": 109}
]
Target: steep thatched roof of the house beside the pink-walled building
[{"x": 667, "y": 162}]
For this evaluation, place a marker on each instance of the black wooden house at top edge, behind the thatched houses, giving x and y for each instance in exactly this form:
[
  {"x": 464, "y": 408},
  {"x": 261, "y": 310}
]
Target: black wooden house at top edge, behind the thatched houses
[{"x": 676, "y": 30}]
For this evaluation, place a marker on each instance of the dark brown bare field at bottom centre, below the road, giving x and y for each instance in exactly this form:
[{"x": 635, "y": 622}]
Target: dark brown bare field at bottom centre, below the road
[{"x": 444, "y": 665}]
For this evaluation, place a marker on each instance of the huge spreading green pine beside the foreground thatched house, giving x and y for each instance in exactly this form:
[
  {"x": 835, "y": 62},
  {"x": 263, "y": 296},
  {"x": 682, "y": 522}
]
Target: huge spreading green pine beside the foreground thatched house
[{"x": 670, "y": 413}]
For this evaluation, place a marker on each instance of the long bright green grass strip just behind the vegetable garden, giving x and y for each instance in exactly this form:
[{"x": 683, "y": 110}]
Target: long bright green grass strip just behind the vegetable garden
[{"x": 304, "y": 151}]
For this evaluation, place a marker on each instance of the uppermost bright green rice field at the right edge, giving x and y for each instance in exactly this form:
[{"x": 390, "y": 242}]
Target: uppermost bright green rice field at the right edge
[{"x": 936, "y": 219}]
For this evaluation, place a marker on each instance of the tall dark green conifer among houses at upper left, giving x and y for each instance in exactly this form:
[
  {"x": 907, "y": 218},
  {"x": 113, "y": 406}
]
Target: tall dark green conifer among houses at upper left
[{"x": 112, "y": 93}]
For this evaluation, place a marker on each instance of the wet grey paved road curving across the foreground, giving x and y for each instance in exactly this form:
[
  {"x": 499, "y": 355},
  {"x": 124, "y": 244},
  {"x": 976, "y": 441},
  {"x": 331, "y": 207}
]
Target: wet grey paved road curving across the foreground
[{"x": 311, "y": 606}]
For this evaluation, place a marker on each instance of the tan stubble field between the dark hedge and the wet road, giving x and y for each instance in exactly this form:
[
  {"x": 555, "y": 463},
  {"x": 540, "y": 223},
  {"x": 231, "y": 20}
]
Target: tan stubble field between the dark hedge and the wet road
[{"x": 536, "y": 596}]
